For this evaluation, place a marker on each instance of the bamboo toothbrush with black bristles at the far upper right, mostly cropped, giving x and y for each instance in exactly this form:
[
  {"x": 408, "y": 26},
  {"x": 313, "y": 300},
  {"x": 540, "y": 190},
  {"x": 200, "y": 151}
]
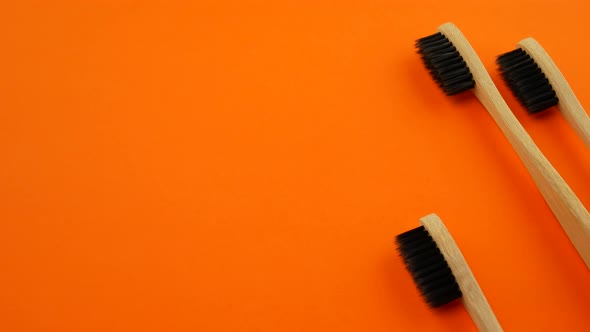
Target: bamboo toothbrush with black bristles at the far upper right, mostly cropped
[{"x": 538, "y": 84}]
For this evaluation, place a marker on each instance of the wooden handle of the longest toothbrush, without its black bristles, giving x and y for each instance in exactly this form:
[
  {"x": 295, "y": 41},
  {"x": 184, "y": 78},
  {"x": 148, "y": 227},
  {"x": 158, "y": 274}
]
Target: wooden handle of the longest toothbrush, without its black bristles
[{"x": 572, "y": 215}]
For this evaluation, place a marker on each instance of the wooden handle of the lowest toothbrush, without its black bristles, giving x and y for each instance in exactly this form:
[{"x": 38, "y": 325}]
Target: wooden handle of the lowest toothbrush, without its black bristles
[{"x": 473, "y": 298}]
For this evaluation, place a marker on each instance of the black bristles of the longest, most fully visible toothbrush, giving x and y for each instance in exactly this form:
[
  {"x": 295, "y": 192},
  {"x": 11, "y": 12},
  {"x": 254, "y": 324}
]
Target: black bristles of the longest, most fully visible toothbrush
[{"x": 445, "y": 64}]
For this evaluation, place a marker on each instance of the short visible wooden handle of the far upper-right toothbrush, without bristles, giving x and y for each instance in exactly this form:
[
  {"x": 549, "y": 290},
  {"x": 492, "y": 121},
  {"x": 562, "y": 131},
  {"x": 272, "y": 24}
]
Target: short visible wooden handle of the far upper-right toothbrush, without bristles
[{"x": 568, "y": 104}]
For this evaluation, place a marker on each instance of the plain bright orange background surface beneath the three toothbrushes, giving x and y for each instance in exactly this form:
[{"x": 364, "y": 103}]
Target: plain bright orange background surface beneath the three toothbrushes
[{"x": 245, "y": 166}]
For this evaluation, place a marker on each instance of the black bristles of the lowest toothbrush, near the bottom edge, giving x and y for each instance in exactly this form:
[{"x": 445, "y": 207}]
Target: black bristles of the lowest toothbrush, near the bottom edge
[{"x": 428, "y": 267}]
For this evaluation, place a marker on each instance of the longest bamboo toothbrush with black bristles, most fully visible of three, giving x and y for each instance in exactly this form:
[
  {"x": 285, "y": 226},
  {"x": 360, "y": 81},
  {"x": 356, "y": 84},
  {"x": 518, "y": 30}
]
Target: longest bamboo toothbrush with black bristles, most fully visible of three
[{"x": 455, "y": 66}]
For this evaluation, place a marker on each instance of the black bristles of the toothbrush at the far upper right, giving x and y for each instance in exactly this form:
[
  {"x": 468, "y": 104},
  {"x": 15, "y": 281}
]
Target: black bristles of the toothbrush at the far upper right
[{"x": 527, "y": 81}]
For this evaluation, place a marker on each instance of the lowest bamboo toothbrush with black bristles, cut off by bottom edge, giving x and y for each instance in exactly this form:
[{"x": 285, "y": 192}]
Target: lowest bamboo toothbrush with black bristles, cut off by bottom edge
[{"x": 441, "y": 273}]
